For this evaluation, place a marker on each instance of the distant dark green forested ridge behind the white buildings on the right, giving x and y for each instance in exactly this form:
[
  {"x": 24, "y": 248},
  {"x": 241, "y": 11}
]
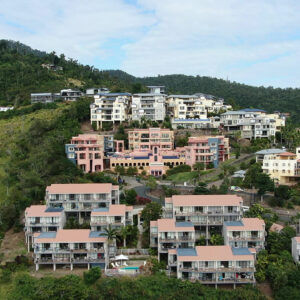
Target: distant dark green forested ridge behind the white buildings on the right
[{"x": 270, "y": 99}]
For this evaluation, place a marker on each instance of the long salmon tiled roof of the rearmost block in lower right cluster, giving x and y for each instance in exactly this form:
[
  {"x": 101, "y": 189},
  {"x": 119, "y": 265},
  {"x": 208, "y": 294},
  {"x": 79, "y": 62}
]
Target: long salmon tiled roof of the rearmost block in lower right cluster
[{"x": 206, "y": 200}]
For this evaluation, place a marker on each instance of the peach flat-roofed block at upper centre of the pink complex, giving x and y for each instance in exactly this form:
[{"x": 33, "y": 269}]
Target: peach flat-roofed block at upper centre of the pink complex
[{"x": 147, "y": 139}]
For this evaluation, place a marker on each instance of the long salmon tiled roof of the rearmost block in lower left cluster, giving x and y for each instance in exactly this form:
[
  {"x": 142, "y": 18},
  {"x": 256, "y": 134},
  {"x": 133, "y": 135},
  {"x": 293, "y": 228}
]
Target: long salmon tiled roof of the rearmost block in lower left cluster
[{"x": 79, "y": 188}]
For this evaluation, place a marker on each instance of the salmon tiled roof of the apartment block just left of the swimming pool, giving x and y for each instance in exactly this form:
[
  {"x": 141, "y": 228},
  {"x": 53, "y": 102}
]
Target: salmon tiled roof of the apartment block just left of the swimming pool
[{"x": 70, "y": 236}]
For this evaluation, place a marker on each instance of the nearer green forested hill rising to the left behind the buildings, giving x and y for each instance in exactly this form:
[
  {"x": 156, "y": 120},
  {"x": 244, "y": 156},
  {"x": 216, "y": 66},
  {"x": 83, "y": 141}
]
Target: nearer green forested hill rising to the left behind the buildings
[{"x": 21, "y": 73}]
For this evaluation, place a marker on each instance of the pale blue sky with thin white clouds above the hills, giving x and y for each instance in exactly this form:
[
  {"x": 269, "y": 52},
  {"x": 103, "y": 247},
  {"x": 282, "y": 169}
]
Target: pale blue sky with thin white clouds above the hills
[{"x": 255, "y": 42}]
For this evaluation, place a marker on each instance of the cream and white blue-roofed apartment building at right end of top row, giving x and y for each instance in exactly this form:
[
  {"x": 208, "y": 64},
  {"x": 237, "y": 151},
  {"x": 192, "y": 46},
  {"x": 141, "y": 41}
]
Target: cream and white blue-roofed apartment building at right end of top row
[{"x": 252, "y": 123}]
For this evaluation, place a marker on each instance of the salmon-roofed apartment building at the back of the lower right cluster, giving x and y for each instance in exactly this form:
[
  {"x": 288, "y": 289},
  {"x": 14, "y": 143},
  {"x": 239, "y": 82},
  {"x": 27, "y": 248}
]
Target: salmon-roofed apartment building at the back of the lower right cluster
[{"x": 207, "y": 212}]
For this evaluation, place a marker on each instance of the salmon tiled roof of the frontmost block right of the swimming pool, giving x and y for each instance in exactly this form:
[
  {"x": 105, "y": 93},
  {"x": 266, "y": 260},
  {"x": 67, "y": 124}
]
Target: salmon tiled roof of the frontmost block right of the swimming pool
[{"x": 216, "y": 253}]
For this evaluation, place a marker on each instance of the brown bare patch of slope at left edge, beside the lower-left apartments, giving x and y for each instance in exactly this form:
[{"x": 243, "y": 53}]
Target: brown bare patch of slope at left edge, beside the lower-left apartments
[{"x": 12, "y": 245}]
